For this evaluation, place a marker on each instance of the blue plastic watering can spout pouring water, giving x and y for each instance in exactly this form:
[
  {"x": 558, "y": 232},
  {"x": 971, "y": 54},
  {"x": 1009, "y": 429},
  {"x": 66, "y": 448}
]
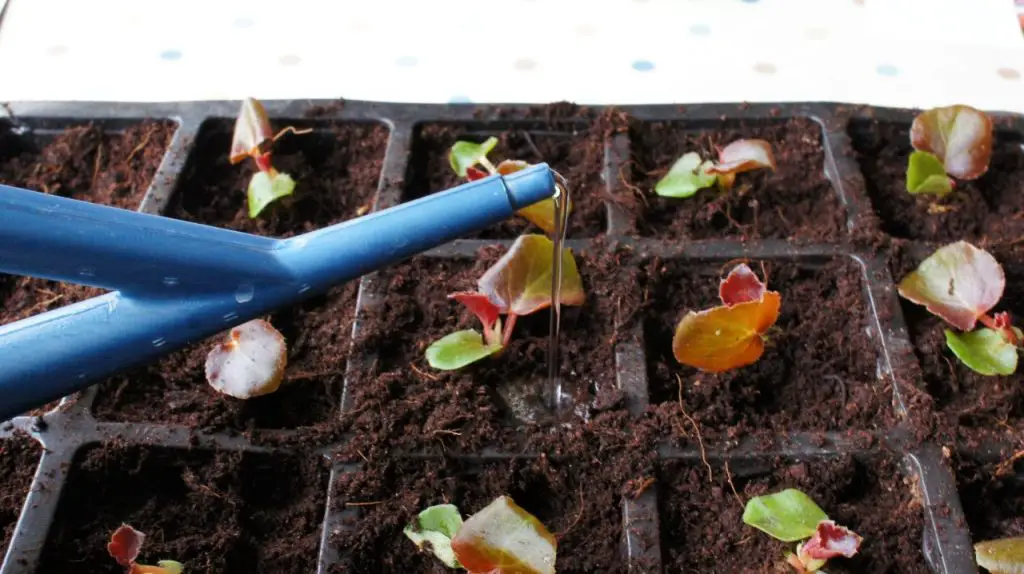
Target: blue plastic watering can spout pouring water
[{"x": 176, "y": 283}]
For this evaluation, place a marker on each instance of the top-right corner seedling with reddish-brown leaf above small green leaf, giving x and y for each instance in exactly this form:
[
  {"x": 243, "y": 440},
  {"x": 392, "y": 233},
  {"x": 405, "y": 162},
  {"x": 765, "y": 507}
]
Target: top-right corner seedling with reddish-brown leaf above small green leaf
[{"x": 949, "y": 143}]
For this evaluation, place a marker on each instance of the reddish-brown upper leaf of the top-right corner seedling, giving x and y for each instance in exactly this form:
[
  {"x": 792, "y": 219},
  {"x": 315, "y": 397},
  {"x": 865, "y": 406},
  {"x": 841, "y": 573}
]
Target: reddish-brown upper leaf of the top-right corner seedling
[{"x": 960, "y": 136}]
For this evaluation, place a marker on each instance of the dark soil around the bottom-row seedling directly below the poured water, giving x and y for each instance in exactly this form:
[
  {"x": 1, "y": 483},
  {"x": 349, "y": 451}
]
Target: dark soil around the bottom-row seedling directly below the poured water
[{"x": 580, "y": 504}]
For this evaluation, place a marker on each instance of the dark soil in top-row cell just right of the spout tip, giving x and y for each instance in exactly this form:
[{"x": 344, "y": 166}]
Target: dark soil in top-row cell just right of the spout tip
[{"x": 796, "y": 202}]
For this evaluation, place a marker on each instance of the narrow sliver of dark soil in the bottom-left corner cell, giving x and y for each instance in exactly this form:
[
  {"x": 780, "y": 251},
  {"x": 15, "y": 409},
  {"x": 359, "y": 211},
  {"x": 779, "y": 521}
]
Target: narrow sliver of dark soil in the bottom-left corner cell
[{"x": 19, "y": 460}]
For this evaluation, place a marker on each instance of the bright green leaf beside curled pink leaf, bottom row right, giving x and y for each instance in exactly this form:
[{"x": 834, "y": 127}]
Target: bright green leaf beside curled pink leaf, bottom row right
[{"x": 788, "y": 516}]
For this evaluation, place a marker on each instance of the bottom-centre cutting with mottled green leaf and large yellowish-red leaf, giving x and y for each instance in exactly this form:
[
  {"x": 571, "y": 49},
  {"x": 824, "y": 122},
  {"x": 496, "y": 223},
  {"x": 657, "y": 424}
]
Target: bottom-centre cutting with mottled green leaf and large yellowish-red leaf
[{"x": 502, "y": 539}]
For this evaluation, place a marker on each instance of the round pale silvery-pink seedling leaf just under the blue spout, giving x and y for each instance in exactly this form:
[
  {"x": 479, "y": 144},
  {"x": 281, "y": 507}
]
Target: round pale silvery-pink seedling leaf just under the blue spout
[{"x": 251, "y": 363}]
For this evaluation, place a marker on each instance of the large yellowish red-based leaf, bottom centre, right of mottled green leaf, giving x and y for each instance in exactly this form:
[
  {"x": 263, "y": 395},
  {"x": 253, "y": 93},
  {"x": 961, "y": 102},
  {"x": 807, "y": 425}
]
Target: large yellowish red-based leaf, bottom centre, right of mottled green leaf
[{"x": 504, "y": 539}]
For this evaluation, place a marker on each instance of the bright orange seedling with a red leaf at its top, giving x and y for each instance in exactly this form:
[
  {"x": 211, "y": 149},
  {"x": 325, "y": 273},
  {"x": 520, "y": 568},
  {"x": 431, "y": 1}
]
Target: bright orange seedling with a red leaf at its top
[{"x": 732, "y": 335}]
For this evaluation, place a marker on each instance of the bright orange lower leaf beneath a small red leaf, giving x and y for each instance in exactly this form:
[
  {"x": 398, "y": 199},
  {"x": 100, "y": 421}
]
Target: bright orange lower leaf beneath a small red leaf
[{"x": 726, "y": 338}]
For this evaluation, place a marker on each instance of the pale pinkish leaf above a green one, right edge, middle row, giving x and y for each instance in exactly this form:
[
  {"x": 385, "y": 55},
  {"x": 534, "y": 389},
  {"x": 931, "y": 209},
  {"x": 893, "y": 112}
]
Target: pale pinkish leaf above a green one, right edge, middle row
[{"x": 959, "y": 283}]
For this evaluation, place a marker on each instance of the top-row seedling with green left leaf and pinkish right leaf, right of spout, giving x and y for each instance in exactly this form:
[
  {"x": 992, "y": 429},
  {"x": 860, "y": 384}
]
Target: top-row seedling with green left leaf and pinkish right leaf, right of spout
[{"x": 692, "y": 173}]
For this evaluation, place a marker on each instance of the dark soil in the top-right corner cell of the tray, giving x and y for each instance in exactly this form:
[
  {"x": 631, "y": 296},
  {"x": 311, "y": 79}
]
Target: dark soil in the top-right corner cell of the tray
[{"x": 991, "y": 208}]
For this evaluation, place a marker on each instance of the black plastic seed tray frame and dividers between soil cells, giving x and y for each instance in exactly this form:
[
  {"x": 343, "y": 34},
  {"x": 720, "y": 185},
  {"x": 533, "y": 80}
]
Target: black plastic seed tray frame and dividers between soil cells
[{"x": 947, "y": 544}]
